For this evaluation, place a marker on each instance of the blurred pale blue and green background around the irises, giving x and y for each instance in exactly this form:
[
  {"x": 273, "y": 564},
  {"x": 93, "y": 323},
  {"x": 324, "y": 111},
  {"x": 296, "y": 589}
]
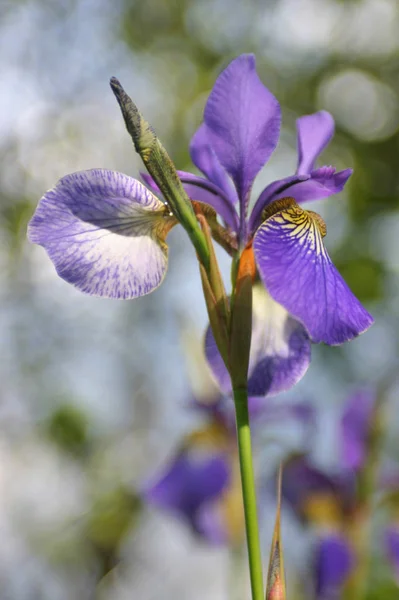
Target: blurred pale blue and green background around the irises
[{"x": 93, "y": 392}]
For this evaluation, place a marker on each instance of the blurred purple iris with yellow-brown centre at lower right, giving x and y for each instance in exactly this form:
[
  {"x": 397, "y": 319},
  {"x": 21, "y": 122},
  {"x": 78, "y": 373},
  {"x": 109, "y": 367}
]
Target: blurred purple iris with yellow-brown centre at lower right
[{"x": 328, "y": 500}]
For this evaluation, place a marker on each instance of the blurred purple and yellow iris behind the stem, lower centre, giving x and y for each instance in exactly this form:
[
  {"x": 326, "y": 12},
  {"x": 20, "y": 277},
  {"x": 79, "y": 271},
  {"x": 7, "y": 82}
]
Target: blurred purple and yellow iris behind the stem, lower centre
[{"x": 200, "y": 484}]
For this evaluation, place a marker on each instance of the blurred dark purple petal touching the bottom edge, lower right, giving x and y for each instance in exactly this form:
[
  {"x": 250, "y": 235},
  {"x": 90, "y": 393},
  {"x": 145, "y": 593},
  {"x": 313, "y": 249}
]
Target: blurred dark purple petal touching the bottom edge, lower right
[{"x": 333, "y": 562}]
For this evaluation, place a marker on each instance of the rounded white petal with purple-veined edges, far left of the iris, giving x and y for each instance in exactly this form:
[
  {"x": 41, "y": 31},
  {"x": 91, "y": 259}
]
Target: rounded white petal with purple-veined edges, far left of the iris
[{"x": 104, "y": 232}]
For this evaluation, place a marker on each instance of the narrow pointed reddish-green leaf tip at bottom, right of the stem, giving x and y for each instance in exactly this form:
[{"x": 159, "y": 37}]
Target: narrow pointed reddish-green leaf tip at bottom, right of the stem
[{"x": 275, "y": 577}]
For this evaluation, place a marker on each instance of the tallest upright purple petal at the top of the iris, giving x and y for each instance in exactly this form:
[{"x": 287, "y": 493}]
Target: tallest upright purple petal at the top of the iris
[{"x": 243, "y": 120}]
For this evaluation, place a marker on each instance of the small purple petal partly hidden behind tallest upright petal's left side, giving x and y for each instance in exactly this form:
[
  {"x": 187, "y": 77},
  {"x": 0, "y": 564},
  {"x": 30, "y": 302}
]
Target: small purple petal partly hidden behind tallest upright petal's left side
[{"x": 206, "y": 161}]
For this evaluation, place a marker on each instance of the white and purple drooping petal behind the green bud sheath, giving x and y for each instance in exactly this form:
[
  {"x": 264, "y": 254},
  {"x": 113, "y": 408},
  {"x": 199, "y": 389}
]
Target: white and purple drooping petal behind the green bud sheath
[{"x": 280, "y": 350}]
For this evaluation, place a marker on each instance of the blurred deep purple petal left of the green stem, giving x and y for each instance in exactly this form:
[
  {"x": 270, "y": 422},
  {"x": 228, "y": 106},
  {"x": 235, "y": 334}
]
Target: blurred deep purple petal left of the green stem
[{"x": 192, "y": 479}]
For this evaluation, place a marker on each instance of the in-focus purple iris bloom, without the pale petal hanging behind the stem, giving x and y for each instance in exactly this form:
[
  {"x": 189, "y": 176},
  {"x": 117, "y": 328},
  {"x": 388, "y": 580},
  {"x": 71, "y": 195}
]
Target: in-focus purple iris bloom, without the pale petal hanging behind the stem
[{"x": 105, "y": 232}]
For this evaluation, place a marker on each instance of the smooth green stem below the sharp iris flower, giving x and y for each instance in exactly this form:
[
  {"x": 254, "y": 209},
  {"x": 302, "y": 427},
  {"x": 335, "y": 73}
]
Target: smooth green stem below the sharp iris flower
[{"x": 248, "y": 493}]
